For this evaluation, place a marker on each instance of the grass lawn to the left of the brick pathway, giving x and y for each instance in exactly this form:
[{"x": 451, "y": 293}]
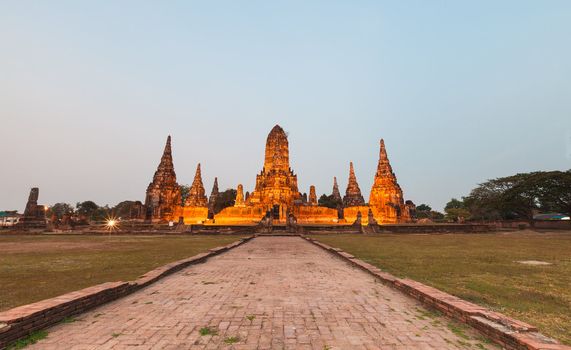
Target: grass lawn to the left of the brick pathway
[{"x": 33, "y": 268}]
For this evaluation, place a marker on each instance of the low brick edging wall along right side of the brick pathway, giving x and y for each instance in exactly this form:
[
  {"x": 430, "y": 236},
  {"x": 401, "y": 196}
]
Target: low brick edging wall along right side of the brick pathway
[{"x": 505, "y": 331}]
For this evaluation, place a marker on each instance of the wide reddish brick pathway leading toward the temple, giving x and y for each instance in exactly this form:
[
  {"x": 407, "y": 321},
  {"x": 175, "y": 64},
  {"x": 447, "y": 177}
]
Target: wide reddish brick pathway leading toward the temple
[{"x": 271, "y": 293}]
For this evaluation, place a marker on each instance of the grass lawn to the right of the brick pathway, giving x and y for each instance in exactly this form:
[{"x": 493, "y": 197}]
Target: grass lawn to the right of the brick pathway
[{"x": 482, "y": 268}]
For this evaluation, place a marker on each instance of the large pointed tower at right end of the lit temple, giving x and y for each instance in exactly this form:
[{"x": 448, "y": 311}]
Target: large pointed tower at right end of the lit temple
[{"x": 386, "y": 200}]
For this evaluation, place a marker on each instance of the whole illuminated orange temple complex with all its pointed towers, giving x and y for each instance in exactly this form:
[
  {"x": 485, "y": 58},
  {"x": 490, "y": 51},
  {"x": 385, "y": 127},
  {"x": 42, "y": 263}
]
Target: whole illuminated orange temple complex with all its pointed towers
[{"x": 276, "y": 195}]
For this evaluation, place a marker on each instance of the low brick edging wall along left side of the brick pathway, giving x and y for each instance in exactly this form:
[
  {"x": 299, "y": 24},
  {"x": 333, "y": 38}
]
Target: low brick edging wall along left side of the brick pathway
[{"x": 21, "y": 321}]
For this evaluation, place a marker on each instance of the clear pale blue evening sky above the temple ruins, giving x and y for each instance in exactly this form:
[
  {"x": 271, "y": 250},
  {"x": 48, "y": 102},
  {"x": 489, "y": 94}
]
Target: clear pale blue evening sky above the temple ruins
[{"x": 461, "y": 91}]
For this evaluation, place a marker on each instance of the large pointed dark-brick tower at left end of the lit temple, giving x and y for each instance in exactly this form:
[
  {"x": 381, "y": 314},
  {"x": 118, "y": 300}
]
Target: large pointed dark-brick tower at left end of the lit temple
[{"x": 163, "y": 194}]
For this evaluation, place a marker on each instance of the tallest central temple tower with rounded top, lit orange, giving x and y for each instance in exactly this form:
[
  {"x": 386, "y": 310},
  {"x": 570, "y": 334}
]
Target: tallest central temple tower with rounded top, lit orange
[{"x": 276, "y": 185}]
